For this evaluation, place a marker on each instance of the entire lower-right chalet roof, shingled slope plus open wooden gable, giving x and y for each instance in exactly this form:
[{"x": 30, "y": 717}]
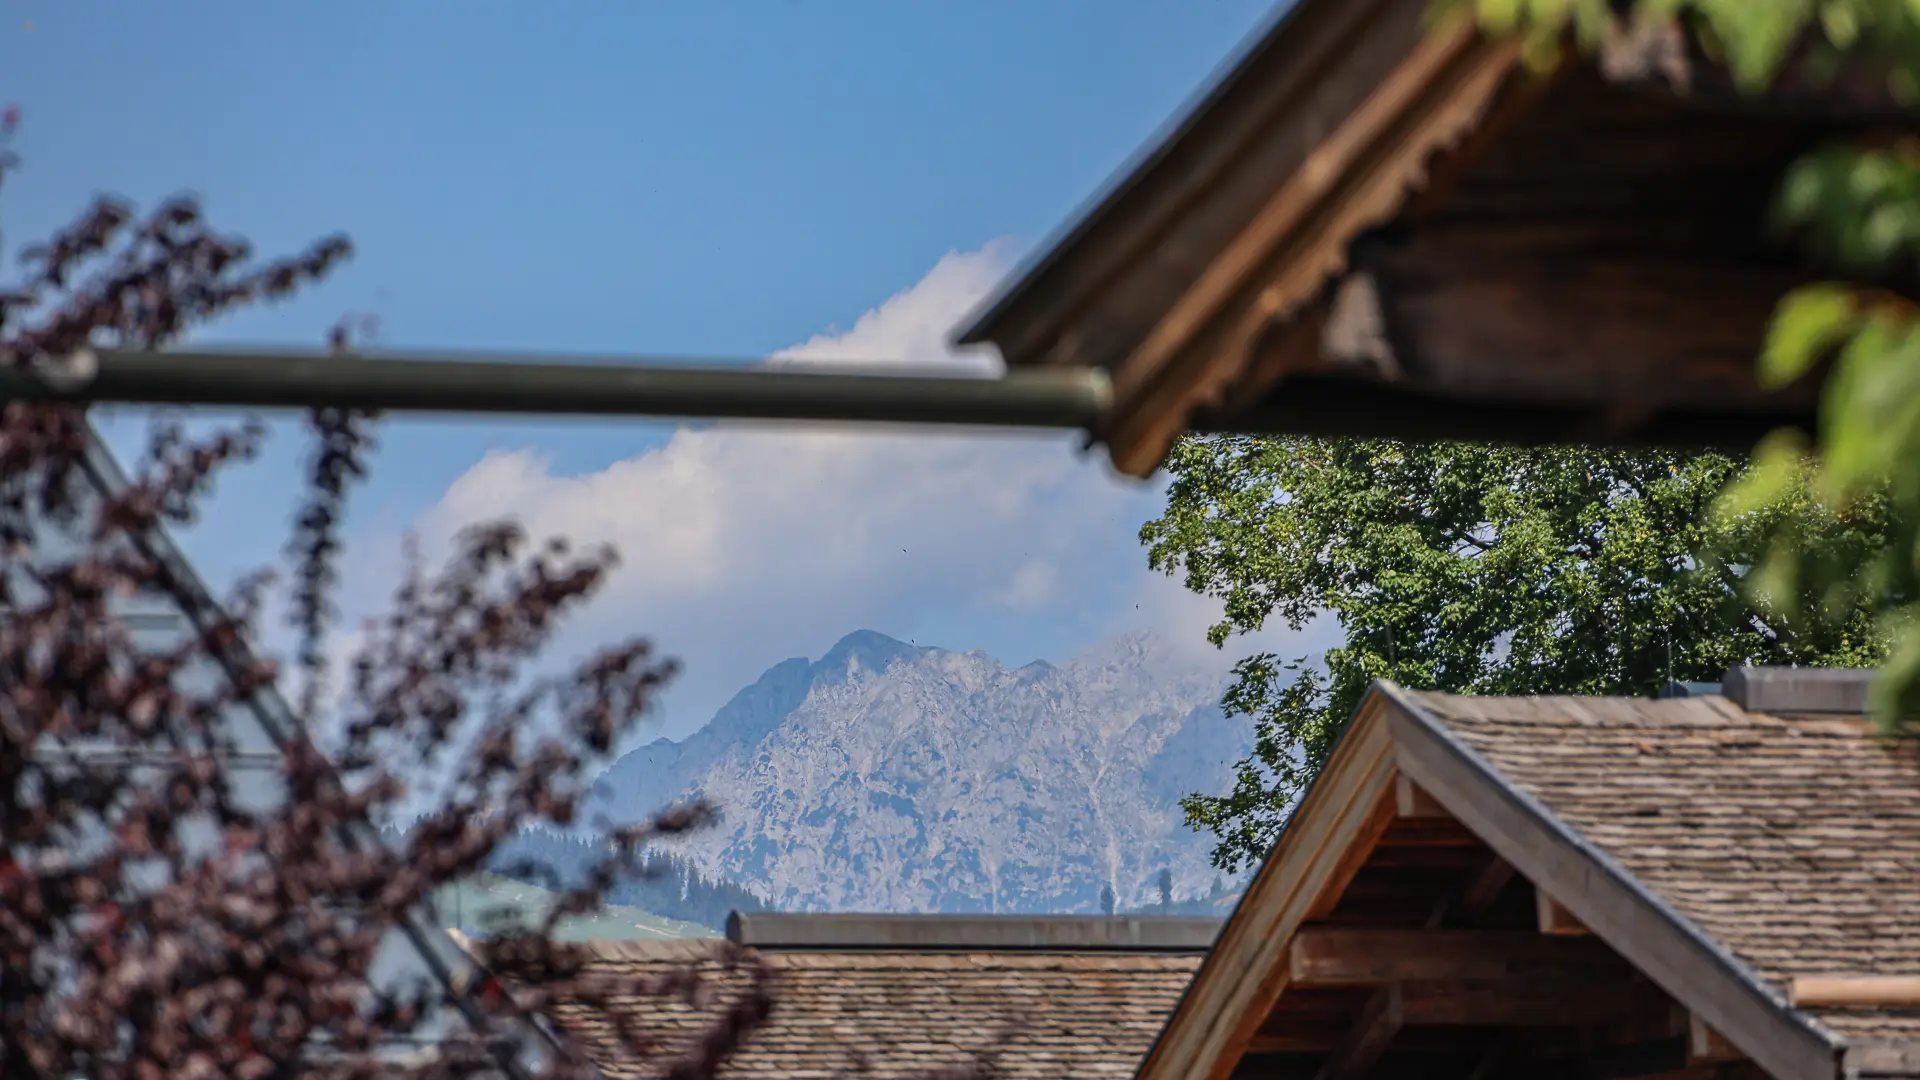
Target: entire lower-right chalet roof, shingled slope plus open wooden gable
[{"x": 1750, "y": 866}]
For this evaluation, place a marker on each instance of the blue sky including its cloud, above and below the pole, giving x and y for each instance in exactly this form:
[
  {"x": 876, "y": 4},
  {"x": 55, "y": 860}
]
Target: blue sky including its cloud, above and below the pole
[{"x": 663, "y": 178}]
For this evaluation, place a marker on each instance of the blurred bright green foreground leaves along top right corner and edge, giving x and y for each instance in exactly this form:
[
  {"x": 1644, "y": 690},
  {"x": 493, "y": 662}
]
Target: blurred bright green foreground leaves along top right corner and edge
[{"x": 1858, "y": 209}]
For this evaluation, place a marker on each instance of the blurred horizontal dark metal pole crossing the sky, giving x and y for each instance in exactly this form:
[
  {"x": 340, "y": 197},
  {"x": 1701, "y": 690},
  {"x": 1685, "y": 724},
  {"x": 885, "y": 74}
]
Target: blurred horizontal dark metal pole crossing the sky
[{"x": 1051, "y": 399}]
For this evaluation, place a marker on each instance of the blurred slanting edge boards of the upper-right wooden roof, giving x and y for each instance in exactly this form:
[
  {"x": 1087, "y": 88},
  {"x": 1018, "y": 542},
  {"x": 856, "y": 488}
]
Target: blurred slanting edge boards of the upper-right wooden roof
[{"x": 1322, "y": 134}]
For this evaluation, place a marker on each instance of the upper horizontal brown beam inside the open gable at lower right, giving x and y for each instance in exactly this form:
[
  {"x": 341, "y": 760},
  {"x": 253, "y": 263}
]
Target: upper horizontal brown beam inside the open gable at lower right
[{"x": 1339, "y": 956}]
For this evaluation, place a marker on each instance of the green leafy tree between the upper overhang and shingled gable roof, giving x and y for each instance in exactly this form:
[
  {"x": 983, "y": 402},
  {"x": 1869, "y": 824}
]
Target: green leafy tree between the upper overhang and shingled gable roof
[{"x": 1470, "y": 570}]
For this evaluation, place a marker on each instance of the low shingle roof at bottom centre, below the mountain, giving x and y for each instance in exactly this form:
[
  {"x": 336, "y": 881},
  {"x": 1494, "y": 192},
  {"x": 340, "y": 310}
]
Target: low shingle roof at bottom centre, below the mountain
[{"x": 905, "y": 1012}]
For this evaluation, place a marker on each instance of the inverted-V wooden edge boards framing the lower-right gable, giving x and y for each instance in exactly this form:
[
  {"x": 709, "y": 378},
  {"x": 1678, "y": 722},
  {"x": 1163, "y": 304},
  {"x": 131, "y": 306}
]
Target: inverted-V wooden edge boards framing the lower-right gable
[{"x": 1333, "y": 831}]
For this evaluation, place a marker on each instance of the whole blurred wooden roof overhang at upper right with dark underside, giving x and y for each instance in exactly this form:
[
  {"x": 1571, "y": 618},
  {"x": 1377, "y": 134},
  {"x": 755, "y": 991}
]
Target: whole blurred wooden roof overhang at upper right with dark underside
[{"x": 1372, "y": 228}]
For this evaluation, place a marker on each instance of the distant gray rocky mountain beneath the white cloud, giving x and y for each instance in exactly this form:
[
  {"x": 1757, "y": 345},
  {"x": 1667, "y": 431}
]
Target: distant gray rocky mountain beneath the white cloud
[{"x": 888, "y": 777}]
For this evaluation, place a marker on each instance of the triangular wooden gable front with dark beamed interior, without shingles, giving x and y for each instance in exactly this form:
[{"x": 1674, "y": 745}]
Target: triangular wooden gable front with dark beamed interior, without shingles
[{"x": 1422, "y": 918}]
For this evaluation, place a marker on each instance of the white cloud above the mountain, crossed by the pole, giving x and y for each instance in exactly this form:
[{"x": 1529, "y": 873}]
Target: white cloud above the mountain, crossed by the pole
[{"x": 744, "y": 545}]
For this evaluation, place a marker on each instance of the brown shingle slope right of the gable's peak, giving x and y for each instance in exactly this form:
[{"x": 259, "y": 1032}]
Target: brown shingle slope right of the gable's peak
[{"x": 1794, "y": 841}]
